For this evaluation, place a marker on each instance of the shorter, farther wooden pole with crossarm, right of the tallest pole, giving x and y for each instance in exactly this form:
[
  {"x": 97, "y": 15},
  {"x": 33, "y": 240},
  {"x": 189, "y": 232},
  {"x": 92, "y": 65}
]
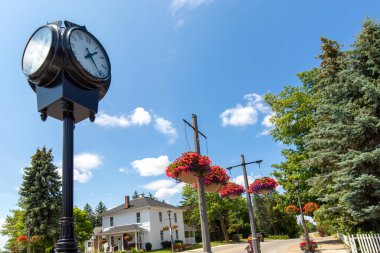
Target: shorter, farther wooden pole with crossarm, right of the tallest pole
[{"x": 256, "y": 241}]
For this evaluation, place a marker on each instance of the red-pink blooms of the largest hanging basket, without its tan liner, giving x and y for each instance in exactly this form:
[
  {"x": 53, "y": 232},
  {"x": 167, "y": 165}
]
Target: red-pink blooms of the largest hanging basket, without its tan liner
[{"x": 189, "y": 162}]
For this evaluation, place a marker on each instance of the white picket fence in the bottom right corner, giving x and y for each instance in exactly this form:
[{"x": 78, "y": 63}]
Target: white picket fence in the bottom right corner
[{"x": 362, "y": 243}]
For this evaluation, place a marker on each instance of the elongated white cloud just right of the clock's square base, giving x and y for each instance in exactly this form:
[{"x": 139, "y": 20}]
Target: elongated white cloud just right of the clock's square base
[{"x": 138, "y": 117}]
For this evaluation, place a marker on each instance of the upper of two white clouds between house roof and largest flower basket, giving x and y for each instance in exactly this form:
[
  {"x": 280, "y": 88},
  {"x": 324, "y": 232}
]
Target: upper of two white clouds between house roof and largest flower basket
[{"x": 151, "y": 166}]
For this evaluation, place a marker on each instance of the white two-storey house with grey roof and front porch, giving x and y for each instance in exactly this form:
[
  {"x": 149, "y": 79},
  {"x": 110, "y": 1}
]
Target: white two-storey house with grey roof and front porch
[{"x": 137, "y": 222}]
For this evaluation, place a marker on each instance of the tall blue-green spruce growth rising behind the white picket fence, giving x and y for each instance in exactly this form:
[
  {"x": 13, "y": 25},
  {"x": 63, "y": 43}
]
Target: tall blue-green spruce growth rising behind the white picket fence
[{"x": 345, "y": 143}]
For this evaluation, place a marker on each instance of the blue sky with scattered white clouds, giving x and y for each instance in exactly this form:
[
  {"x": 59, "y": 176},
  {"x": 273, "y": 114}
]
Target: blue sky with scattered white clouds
[{"x": 170, "y": 58}]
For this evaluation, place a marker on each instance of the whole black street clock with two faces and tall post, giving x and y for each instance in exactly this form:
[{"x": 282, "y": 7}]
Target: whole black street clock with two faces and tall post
[{"x": 66, "y": 90}]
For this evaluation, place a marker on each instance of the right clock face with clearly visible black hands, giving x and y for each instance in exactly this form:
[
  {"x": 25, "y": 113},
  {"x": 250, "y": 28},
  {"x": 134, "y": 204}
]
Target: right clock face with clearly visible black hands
[{"x": 89, "y": 54}]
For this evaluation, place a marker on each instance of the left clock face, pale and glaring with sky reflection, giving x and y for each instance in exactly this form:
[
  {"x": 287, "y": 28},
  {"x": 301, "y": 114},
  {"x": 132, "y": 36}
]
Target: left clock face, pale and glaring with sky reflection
[{"x": 37, "y": 50}]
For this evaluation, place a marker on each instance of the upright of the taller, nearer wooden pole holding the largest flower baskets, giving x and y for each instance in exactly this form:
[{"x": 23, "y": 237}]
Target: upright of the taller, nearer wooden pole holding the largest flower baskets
[{"x": 201, "y": 195}]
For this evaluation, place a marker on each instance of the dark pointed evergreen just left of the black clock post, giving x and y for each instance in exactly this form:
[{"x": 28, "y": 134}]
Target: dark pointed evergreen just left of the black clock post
[{"x": 40, "y": 196}]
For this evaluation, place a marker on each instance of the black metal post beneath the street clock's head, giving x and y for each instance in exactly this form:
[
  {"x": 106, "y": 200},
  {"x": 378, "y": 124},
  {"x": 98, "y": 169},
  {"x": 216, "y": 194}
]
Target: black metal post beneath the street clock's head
[{"x": 67, "y": 242}]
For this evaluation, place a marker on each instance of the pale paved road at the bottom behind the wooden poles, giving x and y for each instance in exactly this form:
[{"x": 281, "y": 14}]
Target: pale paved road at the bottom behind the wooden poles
[{"x": 269, "y": 246}]
